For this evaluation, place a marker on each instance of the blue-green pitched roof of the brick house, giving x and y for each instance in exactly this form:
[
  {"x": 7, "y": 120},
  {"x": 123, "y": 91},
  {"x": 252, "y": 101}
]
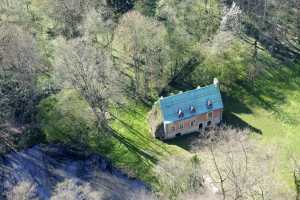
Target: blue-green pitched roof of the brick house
[{"x": 197, "y": 98}]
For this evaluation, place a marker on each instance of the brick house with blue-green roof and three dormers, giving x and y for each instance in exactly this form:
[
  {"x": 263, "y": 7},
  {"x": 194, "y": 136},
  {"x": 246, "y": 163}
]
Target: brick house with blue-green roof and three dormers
[{"x": 188, "y": 112}]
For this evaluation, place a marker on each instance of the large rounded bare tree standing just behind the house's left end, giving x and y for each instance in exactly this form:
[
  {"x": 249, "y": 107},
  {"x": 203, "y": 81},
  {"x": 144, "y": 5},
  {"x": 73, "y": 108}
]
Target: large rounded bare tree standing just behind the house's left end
[{"x": 140, "y": 46}]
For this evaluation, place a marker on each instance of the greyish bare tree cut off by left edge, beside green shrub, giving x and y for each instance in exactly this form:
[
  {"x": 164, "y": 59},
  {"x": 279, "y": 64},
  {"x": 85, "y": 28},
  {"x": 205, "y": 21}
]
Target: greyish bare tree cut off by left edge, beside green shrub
[{"x": 18, "y": 63}]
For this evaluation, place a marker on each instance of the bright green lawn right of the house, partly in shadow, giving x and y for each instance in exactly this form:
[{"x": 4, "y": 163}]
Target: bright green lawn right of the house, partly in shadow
[{"x": 272, "y": 109}]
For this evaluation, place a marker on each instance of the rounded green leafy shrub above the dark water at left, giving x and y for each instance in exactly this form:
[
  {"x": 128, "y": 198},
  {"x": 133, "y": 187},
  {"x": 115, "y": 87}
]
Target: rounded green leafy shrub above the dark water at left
[{"x": 66, "y": 118}]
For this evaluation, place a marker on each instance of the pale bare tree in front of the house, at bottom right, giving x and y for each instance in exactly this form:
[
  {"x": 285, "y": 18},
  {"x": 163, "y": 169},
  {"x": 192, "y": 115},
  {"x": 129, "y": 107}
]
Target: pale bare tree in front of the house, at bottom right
[{"x": 237, "y": 165}]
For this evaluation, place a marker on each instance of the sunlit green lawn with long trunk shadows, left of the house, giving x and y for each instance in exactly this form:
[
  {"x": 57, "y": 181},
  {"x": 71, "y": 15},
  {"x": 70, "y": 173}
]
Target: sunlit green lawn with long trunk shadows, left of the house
[{"x": 139, "y": 151}]
